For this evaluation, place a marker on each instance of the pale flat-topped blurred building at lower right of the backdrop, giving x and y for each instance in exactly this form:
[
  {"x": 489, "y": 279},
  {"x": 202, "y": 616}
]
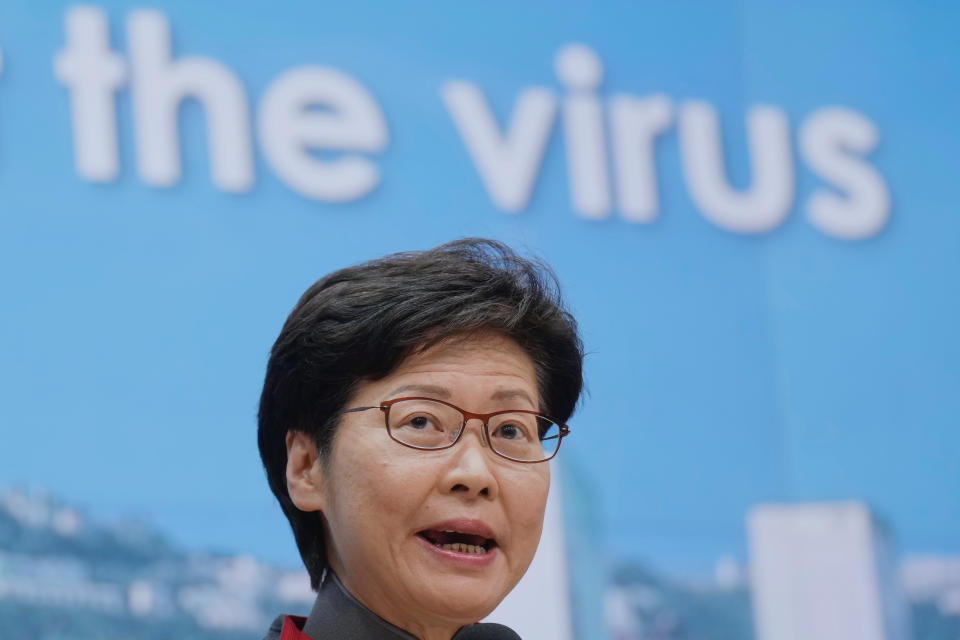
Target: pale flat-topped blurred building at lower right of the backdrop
[{"x": 823, "y": 571}]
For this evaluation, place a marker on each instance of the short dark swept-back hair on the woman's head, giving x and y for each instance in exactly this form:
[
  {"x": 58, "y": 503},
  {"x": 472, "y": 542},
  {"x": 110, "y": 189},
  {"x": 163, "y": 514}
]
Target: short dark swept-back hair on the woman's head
[{"x": 361, "y": 322}]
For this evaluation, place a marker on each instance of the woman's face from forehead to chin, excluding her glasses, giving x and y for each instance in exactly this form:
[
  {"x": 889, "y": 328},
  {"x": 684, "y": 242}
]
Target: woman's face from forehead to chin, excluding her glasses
[{"x": 382, "y": 501}]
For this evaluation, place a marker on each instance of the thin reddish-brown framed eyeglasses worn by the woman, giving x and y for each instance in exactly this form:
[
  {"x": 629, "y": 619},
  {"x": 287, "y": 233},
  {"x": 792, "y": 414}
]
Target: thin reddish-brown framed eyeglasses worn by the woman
[{"x": 425, "y": 423}]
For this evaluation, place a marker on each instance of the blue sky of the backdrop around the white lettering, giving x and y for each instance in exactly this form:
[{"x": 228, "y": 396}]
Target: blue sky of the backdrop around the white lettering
[{"x": 723, "y": 369}]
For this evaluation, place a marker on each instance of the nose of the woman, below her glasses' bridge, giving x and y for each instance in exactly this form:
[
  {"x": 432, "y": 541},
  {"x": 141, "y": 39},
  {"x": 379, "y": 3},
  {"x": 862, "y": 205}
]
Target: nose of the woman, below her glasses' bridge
[{"x": 470, "y": 471}]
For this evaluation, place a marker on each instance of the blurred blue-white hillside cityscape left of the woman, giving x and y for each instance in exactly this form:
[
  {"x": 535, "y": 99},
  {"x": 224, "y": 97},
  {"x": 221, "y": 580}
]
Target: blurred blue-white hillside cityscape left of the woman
[{"x": 64, "y": 577}]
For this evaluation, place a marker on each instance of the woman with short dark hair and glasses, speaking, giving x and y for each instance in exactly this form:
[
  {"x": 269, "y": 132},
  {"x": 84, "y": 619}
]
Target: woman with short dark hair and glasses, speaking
[{"x": 409, "y": 409}]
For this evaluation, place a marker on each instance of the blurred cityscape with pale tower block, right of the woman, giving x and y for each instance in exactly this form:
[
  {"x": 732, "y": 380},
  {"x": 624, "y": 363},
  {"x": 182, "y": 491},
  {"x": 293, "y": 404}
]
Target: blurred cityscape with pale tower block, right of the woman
[{"x": 816, "y": 570}]
